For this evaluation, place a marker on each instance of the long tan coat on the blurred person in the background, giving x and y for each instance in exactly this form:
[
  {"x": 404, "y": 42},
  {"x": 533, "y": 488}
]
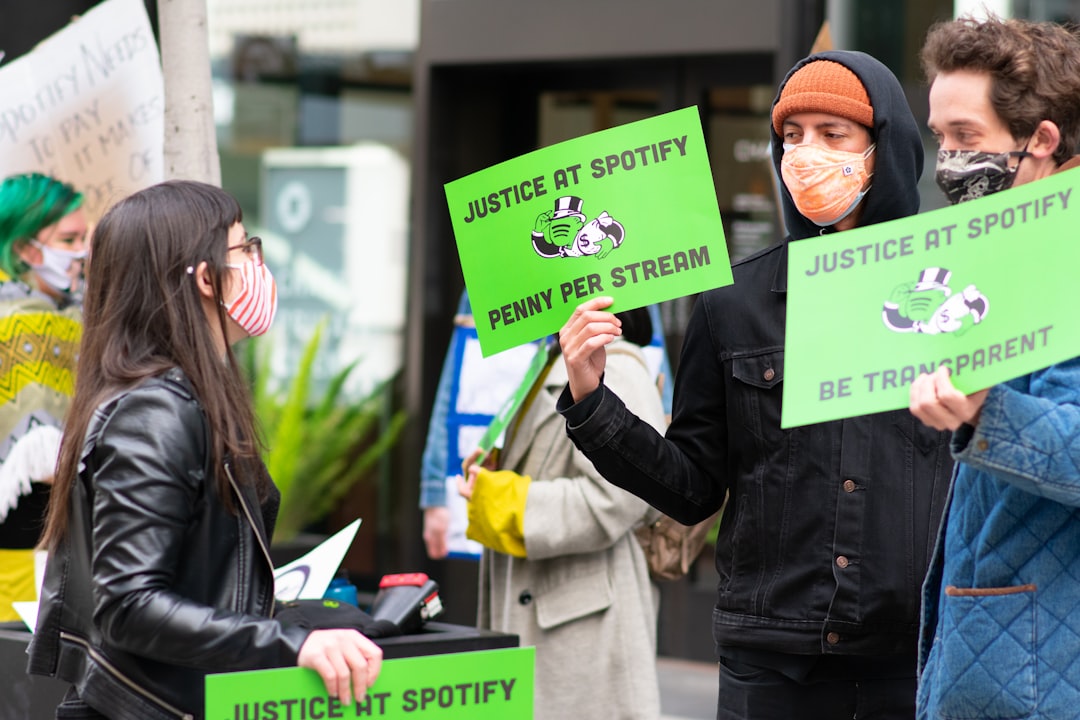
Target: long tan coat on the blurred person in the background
[{"x": 583, "y": 597}]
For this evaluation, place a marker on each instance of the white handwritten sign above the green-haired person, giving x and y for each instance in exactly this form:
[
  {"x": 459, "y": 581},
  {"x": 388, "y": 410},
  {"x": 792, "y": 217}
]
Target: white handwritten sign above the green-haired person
[{"x": 87, "y": 106}]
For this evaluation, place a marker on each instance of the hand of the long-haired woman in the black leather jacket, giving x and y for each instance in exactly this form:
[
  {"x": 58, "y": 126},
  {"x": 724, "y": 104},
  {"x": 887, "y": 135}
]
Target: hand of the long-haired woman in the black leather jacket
[{"x": 343, "y": 658}]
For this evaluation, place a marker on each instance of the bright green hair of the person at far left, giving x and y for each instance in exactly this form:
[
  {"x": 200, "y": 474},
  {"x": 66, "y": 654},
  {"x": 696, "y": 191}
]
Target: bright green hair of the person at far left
[{"x": 29, "y": 205}]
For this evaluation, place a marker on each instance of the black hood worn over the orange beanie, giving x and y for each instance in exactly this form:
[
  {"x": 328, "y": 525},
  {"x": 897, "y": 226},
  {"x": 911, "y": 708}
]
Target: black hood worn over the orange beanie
[{"x": 895, "y": 192}]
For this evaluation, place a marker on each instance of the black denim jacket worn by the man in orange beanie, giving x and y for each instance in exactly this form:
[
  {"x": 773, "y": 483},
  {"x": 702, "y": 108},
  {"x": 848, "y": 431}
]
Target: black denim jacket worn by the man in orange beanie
[{"x": 830, "y": 527}]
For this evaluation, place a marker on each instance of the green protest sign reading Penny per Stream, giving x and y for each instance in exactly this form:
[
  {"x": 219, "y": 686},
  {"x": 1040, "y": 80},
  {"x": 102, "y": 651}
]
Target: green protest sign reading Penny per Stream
[{"x": 629, "y": 212}]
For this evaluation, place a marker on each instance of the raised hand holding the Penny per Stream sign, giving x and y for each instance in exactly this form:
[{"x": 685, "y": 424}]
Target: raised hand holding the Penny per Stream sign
[{"x": 583, "y": 339}]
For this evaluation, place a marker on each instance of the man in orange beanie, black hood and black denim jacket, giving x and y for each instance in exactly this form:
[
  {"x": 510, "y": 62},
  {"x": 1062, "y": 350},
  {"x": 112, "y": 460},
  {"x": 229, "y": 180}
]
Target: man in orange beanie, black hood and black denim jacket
[{"x": 829, "y": 528}]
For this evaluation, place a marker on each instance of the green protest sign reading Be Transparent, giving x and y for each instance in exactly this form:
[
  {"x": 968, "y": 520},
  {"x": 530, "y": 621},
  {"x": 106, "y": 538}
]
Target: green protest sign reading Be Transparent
[{"x": 985, "y": 288}]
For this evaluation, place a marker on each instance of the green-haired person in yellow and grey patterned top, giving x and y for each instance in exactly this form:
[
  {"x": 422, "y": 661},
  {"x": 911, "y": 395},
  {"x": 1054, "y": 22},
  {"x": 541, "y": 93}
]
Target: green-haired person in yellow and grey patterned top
[{"x": 44, "y": 243}]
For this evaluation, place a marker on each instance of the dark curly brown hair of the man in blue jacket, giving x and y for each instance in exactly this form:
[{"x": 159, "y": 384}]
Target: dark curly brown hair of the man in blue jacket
[{"x": 1034, "y": 69}]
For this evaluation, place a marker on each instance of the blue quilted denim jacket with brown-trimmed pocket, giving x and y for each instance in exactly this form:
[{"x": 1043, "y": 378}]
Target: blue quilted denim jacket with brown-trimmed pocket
[{"x": 1002, "y": 603}]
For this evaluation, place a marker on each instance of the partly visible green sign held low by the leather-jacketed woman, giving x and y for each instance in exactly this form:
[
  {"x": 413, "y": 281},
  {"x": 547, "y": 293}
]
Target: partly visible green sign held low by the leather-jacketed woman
[{"x": 488, "y": 684}]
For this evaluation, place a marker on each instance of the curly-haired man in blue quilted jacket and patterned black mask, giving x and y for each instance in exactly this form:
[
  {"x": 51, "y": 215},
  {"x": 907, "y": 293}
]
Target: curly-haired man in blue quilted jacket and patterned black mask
[{"x": 1002, "y": 603}]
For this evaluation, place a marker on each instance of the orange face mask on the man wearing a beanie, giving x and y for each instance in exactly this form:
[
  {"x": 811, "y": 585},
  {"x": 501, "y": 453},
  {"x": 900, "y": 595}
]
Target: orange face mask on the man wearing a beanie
[{"x": 826, "y": 185}]
